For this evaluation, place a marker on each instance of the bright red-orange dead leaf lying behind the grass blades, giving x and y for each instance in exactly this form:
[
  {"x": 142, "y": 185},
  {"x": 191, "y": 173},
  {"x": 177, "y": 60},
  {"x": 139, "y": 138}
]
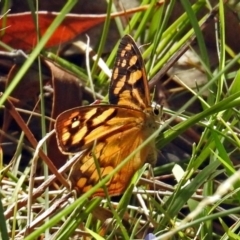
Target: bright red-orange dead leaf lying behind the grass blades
[{"x": 19, "y": 31}]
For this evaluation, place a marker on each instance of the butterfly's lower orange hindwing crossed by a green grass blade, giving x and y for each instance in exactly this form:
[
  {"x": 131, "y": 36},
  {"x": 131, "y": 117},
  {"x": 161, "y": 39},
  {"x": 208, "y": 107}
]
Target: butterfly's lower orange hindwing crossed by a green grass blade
[{"x": 108, "y": 153}]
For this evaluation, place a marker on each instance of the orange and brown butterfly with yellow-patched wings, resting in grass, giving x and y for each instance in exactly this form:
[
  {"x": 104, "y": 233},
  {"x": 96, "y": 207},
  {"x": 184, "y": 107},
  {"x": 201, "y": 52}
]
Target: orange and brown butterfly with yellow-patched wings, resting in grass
[{"x": 109, "y": 133}]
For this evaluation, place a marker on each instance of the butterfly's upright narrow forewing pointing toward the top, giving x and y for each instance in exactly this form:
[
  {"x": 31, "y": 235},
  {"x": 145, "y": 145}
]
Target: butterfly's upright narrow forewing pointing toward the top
[{"x": 129, "y": 85}]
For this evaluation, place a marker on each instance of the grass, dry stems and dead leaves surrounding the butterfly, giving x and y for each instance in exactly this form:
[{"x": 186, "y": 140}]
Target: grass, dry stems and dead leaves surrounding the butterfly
[{"x": 191, "y": 51}]
